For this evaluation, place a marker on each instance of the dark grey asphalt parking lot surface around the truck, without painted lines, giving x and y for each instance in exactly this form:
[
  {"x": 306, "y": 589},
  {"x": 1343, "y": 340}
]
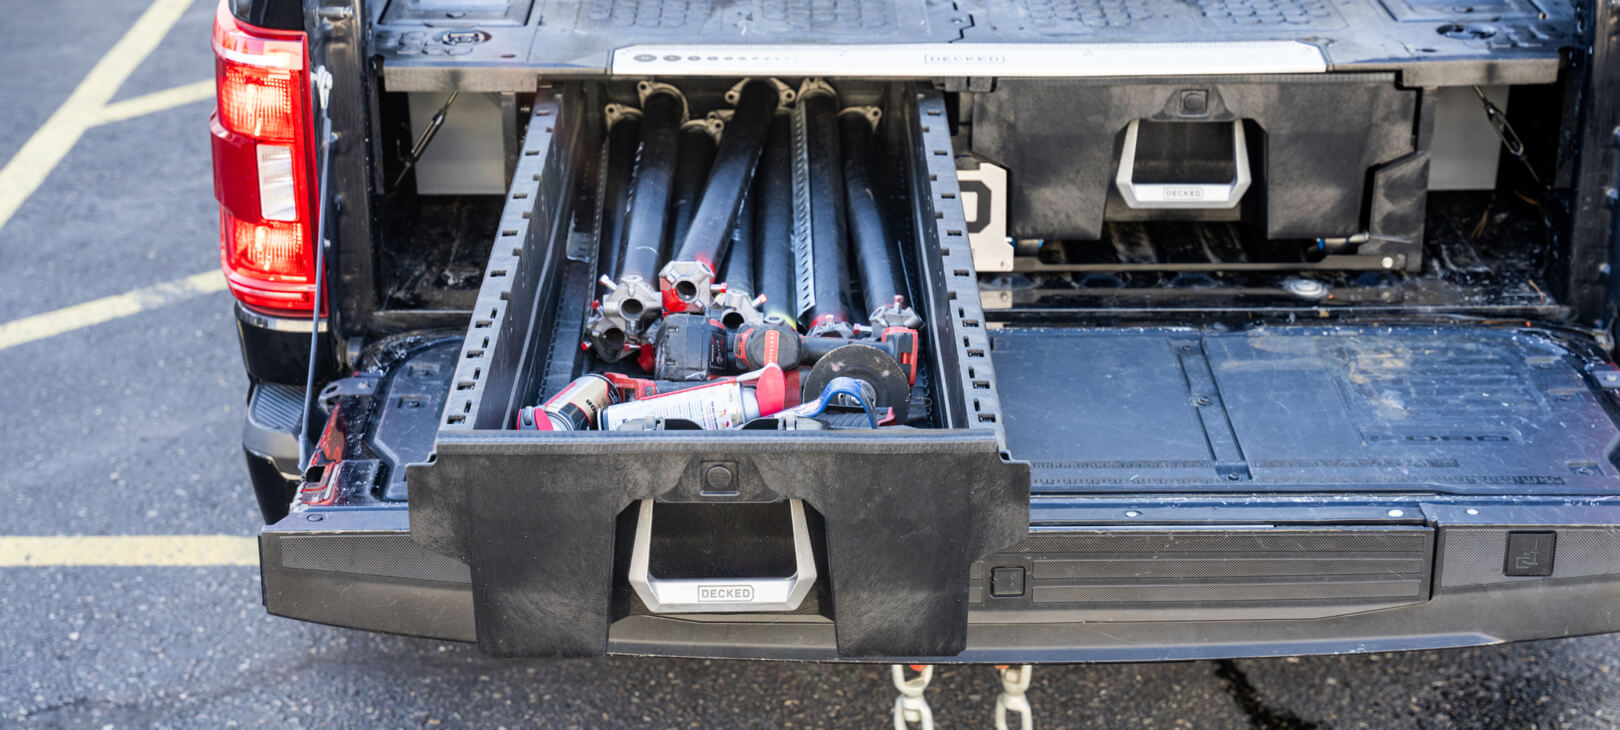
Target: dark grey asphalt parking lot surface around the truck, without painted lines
[{"x": 132, "y": 428}]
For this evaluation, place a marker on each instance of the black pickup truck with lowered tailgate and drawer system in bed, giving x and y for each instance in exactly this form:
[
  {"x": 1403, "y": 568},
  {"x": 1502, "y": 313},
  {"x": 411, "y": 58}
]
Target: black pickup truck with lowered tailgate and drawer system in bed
[{"x": 934, "y": 331}]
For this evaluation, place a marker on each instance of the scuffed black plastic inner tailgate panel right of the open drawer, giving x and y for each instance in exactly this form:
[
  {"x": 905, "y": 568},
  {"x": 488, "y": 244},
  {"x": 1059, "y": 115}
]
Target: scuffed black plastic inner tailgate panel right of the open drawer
[{"x": 1465, "y": 410}]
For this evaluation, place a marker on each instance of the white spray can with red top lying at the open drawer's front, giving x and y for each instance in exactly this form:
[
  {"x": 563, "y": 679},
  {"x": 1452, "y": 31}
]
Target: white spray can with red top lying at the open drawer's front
[{"x": 717, "y": 405}]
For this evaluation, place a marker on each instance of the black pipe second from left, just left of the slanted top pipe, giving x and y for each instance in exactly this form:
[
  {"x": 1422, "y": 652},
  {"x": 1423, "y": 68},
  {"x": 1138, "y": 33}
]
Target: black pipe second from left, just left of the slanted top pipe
[{"x": 655, "y": 172}]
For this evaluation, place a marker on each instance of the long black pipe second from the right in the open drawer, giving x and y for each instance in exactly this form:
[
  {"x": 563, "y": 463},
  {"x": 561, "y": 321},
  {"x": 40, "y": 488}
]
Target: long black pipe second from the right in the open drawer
[{"x": 817, "y": 114}]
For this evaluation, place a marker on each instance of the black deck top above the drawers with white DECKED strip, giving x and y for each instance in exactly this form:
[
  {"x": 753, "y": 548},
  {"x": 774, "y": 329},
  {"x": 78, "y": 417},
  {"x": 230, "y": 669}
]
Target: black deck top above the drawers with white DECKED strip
[{"x": 1431, "y": 43}]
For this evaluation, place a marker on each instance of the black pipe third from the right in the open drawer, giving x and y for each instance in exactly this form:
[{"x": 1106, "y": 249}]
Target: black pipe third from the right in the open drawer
[{"x": 774, "y": 268}]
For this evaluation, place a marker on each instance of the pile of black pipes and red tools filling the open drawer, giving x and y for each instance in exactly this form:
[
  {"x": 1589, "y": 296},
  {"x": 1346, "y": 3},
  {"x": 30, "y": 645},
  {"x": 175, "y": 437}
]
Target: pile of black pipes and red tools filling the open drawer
[{"x": 751, "y": 276}]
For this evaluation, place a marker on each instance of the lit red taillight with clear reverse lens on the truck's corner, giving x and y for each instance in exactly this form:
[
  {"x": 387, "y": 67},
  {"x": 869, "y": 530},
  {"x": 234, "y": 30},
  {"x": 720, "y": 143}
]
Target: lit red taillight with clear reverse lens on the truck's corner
[{"x": 265, "y": 166}]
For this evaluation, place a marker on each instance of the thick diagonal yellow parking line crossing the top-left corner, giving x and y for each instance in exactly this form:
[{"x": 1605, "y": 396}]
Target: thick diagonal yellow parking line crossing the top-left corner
[{"x": 43, "y": 151}]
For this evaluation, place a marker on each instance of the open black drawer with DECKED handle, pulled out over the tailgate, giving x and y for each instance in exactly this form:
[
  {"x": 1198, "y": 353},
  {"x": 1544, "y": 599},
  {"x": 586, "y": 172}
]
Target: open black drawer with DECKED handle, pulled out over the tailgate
[{"x": 905, "y": 511}]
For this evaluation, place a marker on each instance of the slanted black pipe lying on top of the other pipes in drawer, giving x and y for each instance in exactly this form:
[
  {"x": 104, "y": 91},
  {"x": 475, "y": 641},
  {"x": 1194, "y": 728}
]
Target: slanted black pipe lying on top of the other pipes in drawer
[{"x": 735, "y": 163}]
